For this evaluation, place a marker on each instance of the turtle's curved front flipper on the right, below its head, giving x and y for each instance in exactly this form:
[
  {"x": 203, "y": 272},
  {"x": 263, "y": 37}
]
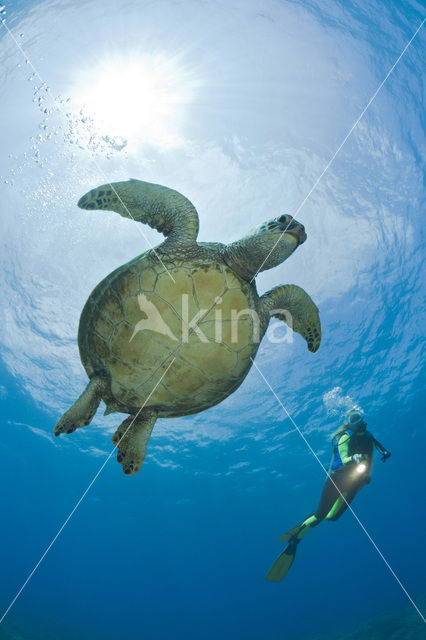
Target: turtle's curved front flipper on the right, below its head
[{"x": 292, "y": 305}]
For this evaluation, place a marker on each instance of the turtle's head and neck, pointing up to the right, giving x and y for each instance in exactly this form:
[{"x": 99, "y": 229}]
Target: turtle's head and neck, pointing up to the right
[{"x": 266, "y": 246}]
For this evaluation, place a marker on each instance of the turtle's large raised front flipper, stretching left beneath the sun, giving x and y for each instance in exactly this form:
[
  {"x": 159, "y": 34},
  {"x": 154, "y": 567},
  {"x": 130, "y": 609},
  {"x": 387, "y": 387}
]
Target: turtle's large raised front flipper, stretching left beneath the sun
[{"x": 163, "y": 209}]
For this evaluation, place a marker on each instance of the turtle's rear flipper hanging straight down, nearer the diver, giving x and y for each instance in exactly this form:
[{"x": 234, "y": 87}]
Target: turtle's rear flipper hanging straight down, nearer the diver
[{"x": 131, "y": 439}]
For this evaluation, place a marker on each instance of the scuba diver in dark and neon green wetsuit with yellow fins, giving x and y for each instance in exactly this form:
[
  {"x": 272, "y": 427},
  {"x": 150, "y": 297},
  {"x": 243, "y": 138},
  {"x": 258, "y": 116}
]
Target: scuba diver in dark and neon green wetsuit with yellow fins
[{"x": 351, "y": 464}]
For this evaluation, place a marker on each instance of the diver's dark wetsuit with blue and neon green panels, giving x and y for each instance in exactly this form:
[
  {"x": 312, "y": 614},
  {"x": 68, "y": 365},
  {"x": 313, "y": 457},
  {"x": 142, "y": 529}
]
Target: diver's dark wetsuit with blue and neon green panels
[{"x": 343, "y": 482}]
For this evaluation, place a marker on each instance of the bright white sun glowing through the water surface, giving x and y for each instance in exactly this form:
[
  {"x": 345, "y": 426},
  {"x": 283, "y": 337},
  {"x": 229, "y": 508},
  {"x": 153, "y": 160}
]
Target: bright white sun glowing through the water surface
[{"x": 139, "y": 99}]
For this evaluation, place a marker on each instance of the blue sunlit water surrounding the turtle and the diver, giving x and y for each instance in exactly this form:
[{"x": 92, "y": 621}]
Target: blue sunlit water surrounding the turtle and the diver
[{"x": 240, "y": 106}]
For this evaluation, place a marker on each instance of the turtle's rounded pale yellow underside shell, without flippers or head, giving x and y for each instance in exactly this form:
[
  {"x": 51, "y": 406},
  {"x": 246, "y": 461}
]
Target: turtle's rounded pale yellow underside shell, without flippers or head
[{"x": 193, "y": 323}]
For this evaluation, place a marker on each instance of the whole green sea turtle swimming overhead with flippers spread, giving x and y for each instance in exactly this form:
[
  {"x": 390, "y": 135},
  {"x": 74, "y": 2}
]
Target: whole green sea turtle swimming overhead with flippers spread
[{"x": 174, "y": 331}]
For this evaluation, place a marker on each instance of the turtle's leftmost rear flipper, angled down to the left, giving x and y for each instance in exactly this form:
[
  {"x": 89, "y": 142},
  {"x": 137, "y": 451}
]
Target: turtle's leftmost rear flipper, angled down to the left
[{"x": 83, "y": 409}]
